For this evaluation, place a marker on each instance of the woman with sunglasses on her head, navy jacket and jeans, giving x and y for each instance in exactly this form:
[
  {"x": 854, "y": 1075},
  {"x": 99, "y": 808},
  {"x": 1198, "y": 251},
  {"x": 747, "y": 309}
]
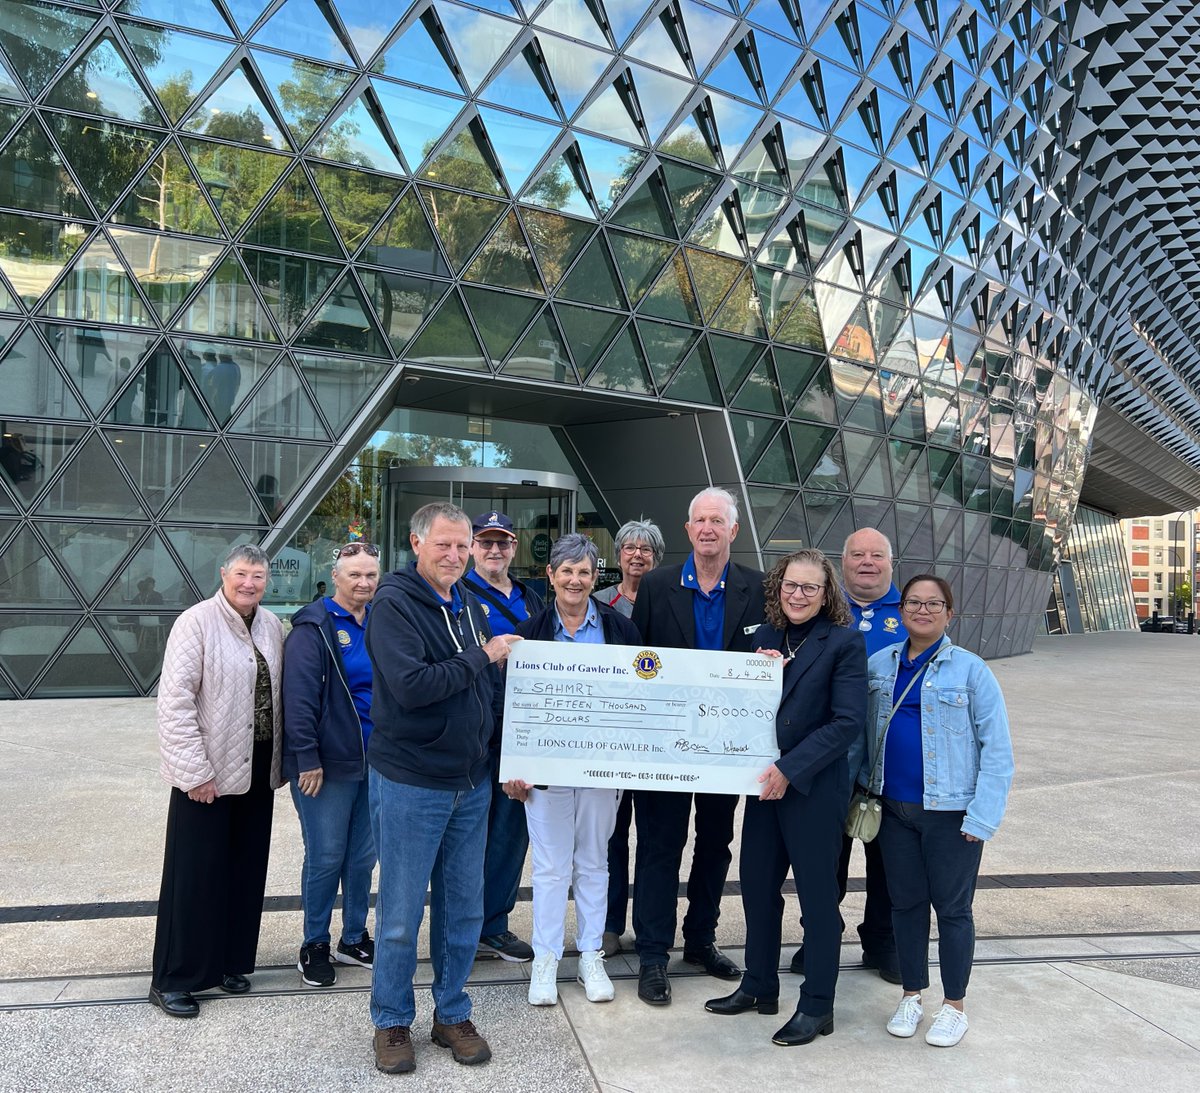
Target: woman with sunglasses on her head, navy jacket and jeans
[{"x": 327, "y": 722}]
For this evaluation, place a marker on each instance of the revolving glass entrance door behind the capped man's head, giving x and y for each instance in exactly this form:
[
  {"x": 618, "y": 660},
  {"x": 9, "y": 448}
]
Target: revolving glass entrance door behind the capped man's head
[{"x": 541, "y": 505}]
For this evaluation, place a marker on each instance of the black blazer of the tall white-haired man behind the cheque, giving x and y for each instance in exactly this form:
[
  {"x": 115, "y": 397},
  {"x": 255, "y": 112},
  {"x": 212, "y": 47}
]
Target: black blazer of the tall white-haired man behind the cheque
[{"x": 663, "y": 611}]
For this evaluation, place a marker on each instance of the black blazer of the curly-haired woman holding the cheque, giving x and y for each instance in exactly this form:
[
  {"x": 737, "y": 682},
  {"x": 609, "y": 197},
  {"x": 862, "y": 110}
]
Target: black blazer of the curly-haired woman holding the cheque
[{"x": 823, "y": 710}]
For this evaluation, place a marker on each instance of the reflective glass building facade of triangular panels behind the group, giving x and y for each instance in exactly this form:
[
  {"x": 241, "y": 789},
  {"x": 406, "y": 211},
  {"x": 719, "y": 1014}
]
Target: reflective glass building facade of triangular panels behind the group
[{"x": 895, "y": 265}]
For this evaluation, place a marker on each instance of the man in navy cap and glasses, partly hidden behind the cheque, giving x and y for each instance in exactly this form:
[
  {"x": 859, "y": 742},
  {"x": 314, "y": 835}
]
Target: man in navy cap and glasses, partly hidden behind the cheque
[{"x": 508, "y": 603}]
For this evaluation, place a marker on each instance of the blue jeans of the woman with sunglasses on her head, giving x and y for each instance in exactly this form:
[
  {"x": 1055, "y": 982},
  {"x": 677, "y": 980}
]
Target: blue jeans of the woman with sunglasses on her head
[{"x": 339, "y": 848}]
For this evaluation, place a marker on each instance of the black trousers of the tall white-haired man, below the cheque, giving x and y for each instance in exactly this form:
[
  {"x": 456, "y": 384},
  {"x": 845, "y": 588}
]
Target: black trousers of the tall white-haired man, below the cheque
[{"x": 663, "y": 826}]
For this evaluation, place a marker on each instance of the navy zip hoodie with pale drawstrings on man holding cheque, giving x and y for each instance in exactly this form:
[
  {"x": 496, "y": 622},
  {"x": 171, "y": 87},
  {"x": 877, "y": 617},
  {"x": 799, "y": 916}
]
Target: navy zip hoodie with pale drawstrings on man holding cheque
[{"x": 437, "y": 698}]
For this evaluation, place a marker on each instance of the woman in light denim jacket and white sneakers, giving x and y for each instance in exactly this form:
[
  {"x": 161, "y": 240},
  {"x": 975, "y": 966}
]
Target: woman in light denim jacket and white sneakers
[{"x": 944, "y": 777}]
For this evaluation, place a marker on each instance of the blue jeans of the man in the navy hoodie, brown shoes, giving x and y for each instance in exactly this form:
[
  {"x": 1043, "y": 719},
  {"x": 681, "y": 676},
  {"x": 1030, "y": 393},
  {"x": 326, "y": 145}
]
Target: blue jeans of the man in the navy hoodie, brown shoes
[{"x": 429, "y": 840}]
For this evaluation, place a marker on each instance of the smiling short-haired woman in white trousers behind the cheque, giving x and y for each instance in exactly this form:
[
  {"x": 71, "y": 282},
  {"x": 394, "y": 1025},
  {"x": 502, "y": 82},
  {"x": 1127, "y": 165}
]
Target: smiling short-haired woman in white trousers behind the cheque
[{"x": 569, "y": 828}]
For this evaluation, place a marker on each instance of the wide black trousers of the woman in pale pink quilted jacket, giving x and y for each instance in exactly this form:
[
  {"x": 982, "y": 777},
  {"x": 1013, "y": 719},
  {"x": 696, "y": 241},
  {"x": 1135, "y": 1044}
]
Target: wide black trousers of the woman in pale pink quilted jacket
[{"x": 214, "y": 875}]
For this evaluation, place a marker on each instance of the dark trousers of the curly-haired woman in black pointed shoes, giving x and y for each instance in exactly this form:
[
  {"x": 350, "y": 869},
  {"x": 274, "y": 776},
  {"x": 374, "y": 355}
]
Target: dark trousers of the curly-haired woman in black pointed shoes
[{"x": 802, "y": 832}]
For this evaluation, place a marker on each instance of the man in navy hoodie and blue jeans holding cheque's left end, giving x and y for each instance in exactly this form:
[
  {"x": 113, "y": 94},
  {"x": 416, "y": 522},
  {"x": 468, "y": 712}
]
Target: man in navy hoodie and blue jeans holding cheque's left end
[{"x": 437, "y": 701}]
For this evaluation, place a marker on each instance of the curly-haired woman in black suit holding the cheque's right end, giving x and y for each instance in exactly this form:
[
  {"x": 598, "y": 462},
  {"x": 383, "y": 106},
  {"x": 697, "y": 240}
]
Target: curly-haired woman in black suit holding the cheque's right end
[{"x": 797, "y": 820}]
